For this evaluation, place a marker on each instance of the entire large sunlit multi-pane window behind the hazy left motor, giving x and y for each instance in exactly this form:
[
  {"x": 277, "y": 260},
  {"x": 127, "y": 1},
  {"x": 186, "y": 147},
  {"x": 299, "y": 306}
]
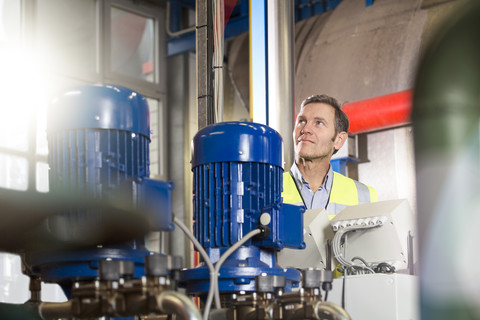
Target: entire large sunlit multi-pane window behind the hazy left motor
[{"x": 71, "y": 42}]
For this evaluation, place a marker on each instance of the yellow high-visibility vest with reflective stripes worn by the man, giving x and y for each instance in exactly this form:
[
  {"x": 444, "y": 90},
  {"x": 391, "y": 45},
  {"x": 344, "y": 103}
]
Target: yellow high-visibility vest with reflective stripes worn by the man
[{"x": 345, "y": 192}]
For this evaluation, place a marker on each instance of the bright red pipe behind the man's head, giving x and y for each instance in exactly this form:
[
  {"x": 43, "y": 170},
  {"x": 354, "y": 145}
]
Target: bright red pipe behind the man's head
[{"x": 378, "y": 113}]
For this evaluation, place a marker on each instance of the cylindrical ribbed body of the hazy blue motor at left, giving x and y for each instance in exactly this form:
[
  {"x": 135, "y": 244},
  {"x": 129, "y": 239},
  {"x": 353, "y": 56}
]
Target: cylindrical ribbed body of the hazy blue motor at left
[{"x": 98, "y": 137}]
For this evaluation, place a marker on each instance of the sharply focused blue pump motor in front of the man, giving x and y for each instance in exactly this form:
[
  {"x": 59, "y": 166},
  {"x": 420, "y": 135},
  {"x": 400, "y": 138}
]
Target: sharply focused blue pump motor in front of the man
[{"x": 237, "y": 177}]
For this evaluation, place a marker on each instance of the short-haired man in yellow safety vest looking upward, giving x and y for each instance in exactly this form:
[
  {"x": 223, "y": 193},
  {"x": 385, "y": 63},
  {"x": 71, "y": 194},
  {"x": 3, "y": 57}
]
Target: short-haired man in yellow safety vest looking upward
[{"x": 320, "y": 131}]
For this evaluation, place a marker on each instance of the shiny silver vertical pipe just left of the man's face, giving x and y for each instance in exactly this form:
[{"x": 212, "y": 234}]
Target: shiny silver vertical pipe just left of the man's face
[{"x": 281, "y": 105}]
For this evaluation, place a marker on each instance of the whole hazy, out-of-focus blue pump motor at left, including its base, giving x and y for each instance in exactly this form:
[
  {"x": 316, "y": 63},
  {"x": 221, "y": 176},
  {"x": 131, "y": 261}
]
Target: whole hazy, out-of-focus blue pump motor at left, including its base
[{"x": 98, "y": 138}]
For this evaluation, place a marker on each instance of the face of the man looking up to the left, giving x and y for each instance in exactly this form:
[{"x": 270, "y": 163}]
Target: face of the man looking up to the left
[{"x": 314, "y": 134}]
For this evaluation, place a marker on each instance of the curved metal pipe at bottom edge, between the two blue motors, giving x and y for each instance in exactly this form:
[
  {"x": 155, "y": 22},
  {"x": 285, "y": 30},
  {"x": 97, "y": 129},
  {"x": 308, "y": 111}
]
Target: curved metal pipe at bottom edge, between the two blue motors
[{"x": 179, "y": 304}]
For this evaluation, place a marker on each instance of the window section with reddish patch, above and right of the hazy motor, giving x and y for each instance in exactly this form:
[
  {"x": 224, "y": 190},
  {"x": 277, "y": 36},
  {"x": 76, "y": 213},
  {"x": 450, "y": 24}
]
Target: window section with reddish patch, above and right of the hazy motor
[{"x": 134, "y": 41}]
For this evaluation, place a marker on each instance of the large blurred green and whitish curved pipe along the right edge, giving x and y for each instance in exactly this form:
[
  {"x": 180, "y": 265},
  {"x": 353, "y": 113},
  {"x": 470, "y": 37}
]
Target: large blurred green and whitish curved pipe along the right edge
[{"x": 445, "y": 119}]
